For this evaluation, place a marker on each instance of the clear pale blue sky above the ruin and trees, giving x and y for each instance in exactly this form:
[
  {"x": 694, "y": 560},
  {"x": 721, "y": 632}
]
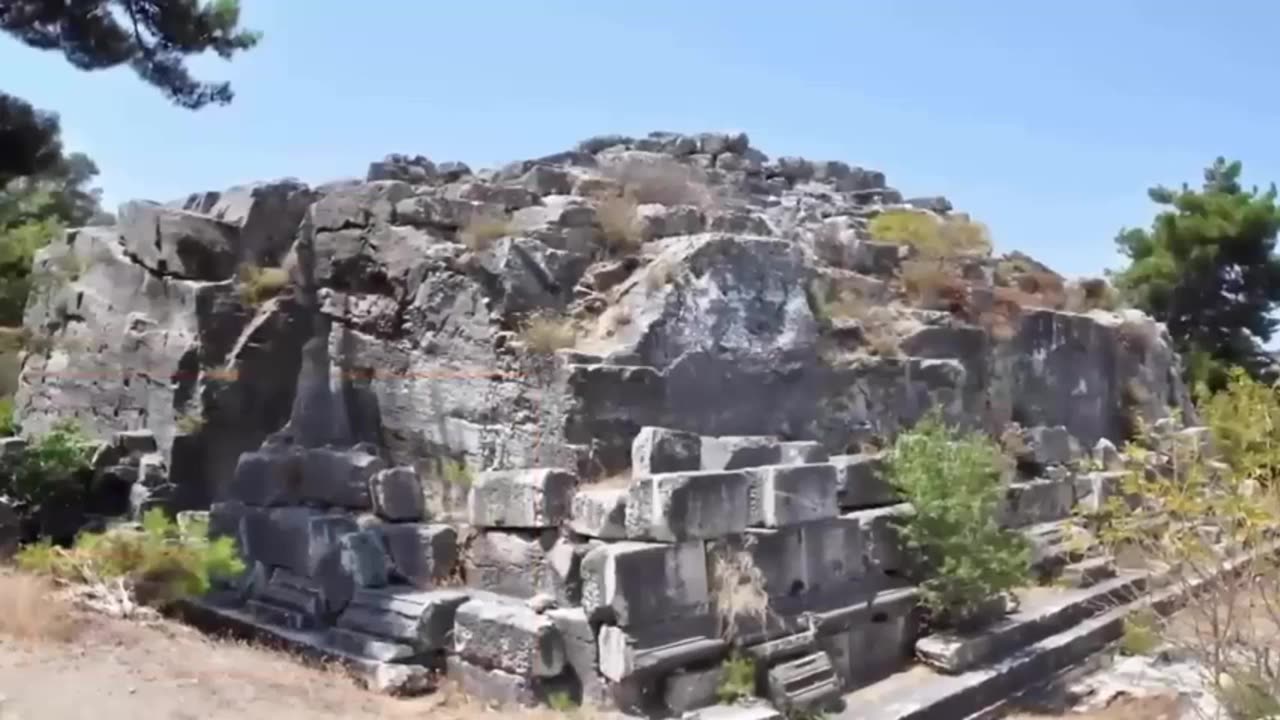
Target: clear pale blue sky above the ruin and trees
[{"x": 1046, "y": 121}]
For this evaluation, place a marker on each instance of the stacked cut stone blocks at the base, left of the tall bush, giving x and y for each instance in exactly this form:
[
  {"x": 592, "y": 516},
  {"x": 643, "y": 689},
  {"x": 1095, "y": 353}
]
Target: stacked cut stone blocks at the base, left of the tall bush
[{"x": 629, "y": 595}]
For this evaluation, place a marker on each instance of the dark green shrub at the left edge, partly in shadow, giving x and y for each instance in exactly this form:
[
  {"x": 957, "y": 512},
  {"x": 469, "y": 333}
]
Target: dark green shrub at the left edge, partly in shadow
[{"x": 51, "y": 471}]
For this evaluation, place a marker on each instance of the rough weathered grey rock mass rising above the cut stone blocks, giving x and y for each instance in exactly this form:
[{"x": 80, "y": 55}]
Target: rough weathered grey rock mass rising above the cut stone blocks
[{"x": 422, "y": 281}]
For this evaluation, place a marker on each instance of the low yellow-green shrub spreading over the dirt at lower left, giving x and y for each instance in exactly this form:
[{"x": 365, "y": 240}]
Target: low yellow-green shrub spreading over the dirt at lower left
[{"x": 159, "y": 562}]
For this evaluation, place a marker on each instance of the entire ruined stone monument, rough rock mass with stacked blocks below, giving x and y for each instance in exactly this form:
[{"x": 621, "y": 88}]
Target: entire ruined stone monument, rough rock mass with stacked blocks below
[{"x": 423, "y": 486}]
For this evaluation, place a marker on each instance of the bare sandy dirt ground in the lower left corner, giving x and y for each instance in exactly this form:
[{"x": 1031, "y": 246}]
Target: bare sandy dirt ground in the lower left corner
[{"x": 60, "y": 664}]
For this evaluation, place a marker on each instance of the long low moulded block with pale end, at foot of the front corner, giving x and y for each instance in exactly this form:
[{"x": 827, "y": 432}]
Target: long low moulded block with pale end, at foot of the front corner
[{"x": 627, "y": 653}]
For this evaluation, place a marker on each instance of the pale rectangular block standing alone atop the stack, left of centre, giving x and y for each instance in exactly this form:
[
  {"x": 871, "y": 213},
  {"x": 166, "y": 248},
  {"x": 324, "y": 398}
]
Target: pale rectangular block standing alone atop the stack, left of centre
[{"x": 522, "y": 499}]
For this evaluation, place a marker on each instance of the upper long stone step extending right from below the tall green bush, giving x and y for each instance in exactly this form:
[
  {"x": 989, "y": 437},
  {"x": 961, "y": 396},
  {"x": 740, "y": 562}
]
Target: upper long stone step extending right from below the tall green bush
[{"x": 1045, "y": 613}]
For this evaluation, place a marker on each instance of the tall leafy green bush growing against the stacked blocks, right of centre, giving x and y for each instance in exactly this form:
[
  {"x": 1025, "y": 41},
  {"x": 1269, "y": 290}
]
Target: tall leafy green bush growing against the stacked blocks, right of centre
[{"x": 954, "y": 484}]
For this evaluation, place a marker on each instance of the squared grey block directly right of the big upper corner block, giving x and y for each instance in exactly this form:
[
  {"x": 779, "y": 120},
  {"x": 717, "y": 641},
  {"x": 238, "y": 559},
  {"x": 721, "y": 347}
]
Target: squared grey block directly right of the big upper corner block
[{"x": 788, "y": 495}]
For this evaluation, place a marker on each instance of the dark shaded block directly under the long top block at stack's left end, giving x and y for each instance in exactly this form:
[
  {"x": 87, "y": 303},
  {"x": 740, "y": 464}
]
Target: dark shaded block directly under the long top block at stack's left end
[{"x": 294, "y": 537}]
